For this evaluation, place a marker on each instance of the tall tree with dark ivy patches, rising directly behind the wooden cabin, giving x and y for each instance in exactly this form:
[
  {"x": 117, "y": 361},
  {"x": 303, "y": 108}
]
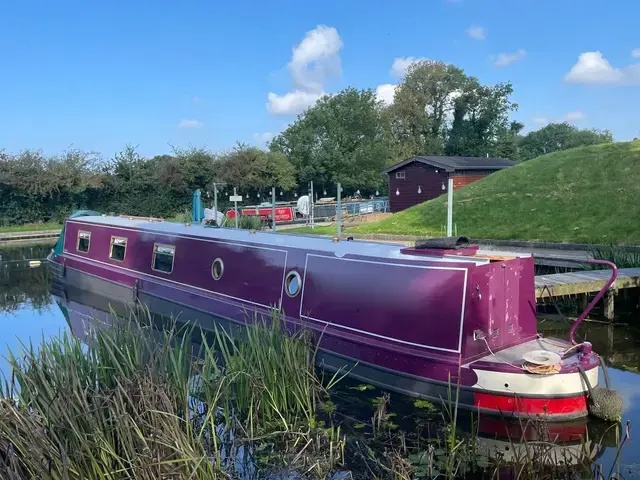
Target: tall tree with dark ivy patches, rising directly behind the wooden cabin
[{"x": 438, "y": 109}]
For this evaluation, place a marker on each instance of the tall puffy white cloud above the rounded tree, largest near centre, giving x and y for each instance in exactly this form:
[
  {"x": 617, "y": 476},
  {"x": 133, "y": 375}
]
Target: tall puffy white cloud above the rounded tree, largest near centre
[{"x": 313, "y": 62}]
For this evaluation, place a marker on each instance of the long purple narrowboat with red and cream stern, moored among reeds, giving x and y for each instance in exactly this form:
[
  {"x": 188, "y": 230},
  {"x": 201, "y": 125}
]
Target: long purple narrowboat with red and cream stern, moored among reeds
[{"x": 421, "y": 321}]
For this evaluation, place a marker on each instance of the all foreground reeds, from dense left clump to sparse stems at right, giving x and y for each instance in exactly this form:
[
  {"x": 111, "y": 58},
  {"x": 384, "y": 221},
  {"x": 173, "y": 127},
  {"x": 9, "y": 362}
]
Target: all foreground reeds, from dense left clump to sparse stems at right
[{"x": 137, "y": 402}]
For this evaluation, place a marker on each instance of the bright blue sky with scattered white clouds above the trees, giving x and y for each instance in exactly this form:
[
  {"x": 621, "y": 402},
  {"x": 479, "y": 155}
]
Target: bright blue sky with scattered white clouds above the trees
[{"x": 100, "y": 75}]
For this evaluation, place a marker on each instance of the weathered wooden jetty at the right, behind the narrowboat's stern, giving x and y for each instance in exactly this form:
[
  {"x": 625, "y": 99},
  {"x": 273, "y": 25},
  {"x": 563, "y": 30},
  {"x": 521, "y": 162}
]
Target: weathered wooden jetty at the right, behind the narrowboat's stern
[{"x": 585, "y": 282}]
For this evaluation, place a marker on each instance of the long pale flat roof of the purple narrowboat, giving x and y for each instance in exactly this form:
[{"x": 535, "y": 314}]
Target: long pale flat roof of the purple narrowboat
[{"x": 275, "y": 239}]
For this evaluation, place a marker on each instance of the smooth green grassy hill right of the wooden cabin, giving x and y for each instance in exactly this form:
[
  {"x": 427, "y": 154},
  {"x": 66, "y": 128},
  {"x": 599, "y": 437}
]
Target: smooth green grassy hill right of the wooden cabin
[{"x": 588, "y": 194}]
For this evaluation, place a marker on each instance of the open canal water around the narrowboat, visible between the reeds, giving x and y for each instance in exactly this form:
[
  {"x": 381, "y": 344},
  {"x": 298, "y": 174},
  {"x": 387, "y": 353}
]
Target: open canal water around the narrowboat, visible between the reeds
[{"x": 29, "y": 314}]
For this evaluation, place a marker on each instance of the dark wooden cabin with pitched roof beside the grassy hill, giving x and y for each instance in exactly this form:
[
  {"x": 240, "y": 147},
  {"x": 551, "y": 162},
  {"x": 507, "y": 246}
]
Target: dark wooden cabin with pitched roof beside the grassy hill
[{"x": 421, "y": 178}]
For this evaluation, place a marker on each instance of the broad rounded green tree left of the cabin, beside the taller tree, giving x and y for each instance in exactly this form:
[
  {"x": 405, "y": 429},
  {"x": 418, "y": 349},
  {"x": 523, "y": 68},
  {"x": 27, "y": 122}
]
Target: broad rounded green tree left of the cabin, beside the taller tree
[{"x": 342, "y": 138}]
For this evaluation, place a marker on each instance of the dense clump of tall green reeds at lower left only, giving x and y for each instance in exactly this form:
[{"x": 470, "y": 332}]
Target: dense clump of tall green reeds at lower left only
[{"x": 138, "y": 403}]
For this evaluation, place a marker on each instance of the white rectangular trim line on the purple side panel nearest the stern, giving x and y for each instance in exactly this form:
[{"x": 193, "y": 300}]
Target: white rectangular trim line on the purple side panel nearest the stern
[{"x": 427, "y": 267}]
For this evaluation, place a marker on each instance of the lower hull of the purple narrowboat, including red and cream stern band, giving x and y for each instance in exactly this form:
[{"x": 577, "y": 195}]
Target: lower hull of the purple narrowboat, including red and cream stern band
[{"x": 504, "y": 394}]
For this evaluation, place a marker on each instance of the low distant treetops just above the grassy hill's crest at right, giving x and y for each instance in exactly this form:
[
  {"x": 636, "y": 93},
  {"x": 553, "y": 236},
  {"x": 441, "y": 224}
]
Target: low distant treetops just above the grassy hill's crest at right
[{"x": 559, "y": 136}]
